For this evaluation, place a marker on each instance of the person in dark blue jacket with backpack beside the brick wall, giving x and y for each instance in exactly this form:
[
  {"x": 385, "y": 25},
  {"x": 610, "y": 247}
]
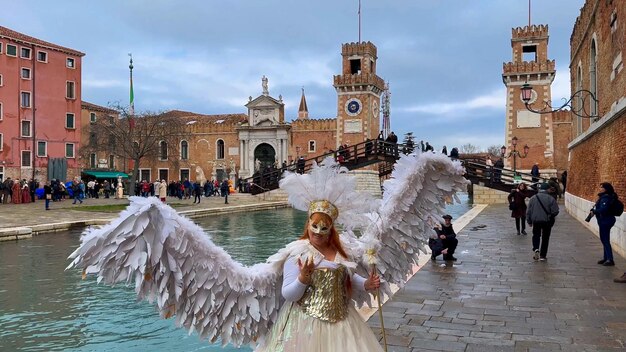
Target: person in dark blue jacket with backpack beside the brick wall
[{"x": 607, "y": 207}]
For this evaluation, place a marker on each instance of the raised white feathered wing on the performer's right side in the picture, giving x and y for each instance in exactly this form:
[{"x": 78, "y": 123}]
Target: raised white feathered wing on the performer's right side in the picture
[{"x": 413, "y": 202}]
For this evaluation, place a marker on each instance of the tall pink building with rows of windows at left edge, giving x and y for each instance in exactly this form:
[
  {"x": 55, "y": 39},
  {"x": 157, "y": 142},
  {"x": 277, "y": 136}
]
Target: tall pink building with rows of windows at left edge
[{"x": 40, "y": 108}]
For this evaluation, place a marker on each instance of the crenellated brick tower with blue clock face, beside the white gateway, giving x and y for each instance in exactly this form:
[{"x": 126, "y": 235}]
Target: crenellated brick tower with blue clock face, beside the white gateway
[{"x": 358, "y": 94}]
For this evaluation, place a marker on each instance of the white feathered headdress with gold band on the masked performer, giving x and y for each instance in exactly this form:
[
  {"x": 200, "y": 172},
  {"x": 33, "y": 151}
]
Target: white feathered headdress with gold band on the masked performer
[{"x": 329, "y": 189}]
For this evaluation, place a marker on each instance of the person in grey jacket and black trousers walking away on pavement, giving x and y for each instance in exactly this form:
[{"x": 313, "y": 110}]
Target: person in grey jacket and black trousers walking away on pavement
[{"x": 542, "y": 210}]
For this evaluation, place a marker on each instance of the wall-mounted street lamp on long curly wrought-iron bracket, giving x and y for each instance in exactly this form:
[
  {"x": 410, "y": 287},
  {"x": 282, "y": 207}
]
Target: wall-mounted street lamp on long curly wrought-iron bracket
[{"x": 578, "y": 109}]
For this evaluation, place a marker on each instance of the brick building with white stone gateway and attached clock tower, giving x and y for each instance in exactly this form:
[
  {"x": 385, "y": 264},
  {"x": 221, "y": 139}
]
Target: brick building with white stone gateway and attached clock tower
[{"x": 236, "y": 145}]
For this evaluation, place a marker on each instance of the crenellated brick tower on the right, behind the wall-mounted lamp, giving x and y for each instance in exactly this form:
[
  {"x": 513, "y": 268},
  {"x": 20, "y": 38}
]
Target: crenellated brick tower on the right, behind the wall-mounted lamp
[{"x": 530, "y": 65}]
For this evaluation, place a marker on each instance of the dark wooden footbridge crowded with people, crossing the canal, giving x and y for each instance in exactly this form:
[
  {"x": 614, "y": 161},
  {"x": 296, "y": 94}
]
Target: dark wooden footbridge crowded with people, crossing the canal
[{"x": 384, "y": 155}]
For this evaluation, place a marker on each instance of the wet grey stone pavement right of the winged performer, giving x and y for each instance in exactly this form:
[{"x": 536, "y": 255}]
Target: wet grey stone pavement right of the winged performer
[{"x": 497, "y": 298}]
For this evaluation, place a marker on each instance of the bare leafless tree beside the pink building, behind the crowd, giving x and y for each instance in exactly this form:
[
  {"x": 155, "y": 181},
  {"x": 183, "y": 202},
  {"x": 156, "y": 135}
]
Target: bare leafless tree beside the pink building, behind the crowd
[{"x": 140, "y": 137}]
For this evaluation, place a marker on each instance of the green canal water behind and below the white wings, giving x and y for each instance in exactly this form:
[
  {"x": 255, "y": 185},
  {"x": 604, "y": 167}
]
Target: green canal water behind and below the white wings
[{"x": 44, "y": 308}]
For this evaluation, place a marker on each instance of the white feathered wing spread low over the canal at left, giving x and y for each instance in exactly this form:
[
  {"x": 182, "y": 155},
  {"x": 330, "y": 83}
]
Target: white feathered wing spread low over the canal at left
[{"x": 173, "y": 262}]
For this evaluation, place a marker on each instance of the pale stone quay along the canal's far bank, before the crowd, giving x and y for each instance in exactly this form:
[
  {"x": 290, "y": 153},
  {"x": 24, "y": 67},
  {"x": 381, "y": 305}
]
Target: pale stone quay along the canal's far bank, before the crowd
[{"x": 33, "y": 215}]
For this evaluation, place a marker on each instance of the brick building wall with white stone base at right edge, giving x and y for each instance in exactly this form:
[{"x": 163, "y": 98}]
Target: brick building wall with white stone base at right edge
[{"x": 597, "y": 48}]
